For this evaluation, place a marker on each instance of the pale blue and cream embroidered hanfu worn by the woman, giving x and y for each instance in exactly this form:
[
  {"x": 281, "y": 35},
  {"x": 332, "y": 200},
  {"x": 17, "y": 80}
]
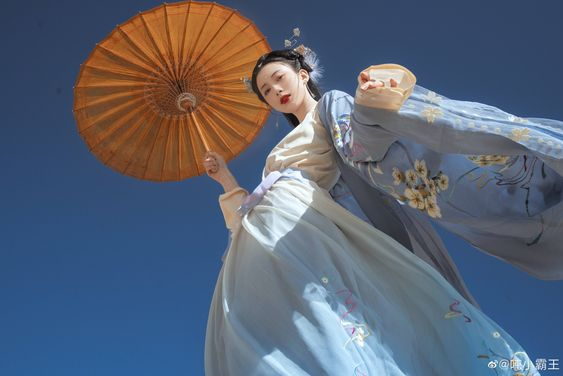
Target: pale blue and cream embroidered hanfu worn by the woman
[{"x": 319, "y": 282}]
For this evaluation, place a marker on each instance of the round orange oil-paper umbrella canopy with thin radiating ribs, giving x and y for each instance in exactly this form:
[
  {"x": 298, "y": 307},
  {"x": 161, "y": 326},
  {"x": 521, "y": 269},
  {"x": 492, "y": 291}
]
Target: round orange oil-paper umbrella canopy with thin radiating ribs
[{"x": 166, "y": 86}]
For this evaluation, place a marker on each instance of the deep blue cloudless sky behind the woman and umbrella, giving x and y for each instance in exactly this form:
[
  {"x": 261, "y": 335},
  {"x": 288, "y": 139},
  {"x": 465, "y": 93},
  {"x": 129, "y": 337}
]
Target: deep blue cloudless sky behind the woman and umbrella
[{"x": 104, "y": 274}]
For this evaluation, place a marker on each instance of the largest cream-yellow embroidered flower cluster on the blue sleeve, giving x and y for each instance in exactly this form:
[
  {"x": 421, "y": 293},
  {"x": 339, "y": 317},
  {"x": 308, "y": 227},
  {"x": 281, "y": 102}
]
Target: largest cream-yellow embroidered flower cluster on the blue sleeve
[{"x": 421, "y": 189}]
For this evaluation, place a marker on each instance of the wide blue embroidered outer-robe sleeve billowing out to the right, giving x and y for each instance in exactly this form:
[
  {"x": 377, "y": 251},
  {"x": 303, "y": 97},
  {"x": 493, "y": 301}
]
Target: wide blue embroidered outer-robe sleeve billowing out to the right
[{"x": 504, "y": 173}]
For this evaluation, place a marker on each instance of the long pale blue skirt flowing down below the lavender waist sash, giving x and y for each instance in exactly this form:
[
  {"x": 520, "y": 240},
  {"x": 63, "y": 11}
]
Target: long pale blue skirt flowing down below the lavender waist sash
[{"x": 309, "y": 289}]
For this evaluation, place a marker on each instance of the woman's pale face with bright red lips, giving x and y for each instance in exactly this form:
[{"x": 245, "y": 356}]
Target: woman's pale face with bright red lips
[{"x": 282, "y": 88}]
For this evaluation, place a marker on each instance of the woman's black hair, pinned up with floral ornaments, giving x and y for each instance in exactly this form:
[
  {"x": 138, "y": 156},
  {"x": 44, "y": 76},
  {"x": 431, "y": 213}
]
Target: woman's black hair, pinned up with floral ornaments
[{"x": 293, "y": 59}]
